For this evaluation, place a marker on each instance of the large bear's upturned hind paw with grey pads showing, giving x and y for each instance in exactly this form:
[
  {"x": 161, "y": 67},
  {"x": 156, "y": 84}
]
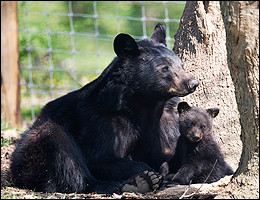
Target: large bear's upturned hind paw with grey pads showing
[{"x": 146, "y": 181}]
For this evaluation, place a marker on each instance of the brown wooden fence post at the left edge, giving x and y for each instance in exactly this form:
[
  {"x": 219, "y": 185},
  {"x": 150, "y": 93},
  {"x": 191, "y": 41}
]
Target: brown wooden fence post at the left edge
[{"x": 10, "y": 89}]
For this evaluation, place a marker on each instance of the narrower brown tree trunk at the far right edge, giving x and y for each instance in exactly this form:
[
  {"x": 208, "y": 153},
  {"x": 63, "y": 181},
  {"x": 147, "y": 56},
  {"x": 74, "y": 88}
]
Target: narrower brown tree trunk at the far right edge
[{"x": 241, "y": 19}]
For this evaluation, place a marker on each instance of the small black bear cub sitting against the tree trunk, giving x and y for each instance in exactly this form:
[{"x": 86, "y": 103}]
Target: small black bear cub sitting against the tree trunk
[{"x": 198, "y": 157}]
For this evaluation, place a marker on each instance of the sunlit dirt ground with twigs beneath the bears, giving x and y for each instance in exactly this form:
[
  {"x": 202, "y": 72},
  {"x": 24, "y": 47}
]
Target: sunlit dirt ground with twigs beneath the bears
[{"x": 220, "y": 190}]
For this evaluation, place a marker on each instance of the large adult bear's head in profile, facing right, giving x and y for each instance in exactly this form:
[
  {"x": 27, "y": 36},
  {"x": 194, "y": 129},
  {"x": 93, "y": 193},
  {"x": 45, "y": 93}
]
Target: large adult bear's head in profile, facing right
[{"x": 153, "y": 69}]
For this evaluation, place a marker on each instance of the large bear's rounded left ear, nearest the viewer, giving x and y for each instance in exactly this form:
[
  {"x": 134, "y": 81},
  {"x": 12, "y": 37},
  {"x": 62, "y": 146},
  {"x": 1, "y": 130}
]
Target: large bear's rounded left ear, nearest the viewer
[{"x": 125, "y": 46}]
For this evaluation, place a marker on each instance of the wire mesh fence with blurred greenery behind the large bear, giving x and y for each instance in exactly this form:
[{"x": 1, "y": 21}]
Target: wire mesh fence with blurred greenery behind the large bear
[{"x": 63, "y": 45}]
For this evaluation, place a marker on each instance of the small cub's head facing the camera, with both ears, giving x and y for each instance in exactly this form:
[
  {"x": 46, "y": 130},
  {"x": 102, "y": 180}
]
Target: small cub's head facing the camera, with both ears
[{"x": 194, "y": 122}]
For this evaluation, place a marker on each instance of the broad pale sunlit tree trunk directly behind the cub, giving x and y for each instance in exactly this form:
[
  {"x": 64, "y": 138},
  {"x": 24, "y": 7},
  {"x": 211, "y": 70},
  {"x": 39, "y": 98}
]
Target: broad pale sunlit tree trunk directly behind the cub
[{"x": 201, "y": 43}]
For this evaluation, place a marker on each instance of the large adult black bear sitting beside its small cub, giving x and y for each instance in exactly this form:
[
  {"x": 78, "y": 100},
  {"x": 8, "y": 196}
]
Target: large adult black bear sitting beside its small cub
[{"x": 95, "y": 139}]
